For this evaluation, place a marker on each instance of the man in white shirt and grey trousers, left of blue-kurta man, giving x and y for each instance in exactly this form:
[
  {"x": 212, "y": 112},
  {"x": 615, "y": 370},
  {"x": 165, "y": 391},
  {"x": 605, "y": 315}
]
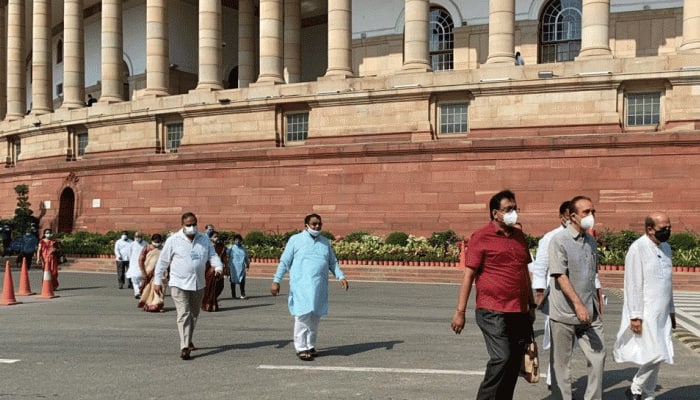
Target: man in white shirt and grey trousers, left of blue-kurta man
[{"x": 186, "y": 253}]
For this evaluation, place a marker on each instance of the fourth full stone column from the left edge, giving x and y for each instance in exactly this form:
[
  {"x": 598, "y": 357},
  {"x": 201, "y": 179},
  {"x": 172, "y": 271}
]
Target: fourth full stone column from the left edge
[{"x": 112, "y": 51}]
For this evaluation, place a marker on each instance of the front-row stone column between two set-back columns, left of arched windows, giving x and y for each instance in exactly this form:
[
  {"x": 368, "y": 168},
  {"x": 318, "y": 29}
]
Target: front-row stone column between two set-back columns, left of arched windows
[{"x": 271, "y": 42}]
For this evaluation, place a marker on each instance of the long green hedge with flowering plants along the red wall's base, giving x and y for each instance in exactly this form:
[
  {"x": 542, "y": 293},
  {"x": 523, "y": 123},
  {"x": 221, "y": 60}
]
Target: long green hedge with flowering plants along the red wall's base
[{"x": 364, "y": 246}]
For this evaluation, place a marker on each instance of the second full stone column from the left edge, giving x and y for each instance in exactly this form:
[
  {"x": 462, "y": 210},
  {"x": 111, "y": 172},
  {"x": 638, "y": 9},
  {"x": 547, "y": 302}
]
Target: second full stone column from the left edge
[{"x": 42, "y": 71}]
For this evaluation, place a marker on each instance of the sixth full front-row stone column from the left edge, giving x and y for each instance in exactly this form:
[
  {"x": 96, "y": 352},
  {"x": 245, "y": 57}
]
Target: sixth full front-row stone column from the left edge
[{"x": 210, "y": 58}]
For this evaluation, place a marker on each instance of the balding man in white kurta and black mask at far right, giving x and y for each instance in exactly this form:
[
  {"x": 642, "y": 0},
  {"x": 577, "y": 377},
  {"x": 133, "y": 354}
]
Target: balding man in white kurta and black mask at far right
[{"x": 648, "y": 313}]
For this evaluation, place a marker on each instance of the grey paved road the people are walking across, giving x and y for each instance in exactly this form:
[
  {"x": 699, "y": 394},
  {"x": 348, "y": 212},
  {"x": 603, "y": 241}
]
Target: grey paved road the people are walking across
[{"x": 380, "y": 341}]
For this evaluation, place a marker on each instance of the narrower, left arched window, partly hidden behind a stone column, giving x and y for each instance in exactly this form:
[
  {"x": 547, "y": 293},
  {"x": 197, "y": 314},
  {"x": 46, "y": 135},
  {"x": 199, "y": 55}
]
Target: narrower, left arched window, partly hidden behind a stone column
[{"x": 441, "y": 39}]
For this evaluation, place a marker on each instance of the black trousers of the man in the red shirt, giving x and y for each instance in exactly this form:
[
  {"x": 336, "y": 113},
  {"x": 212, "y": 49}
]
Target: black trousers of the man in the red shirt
[{"x": 506, "y": 336}]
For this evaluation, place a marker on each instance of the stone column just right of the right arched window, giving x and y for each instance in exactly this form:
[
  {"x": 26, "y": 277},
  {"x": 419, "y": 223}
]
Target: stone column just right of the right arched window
[{"x": 595, "y": 29}]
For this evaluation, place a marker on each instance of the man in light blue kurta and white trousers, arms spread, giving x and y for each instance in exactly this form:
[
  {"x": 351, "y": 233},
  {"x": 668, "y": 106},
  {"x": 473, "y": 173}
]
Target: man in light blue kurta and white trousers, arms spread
[{"x": 308, "y": 256}]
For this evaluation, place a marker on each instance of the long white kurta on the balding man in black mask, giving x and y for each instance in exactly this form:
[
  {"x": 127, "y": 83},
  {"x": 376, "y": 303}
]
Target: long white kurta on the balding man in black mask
[{"x": 649, "y": 297}]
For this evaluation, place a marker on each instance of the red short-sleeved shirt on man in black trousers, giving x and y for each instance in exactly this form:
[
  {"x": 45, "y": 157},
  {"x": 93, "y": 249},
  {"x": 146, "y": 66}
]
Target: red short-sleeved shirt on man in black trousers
[{"x": 501, "y": 264}]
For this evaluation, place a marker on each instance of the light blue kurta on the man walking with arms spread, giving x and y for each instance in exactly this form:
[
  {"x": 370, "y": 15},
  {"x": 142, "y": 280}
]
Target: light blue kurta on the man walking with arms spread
[{"x": 308, "y": 261}]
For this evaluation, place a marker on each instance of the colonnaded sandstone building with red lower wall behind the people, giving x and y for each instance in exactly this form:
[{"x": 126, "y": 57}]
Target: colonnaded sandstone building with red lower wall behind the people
[{"x": 379, "y": 115}]
